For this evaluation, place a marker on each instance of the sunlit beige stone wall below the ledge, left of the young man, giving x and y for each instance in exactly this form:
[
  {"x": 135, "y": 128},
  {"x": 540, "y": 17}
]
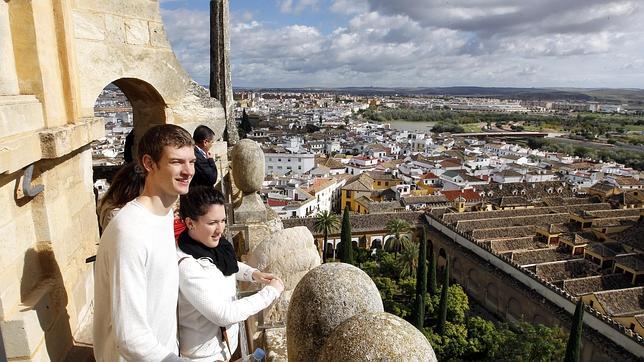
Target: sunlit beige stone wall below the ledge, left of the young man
[{"x": 47, "y": 288}]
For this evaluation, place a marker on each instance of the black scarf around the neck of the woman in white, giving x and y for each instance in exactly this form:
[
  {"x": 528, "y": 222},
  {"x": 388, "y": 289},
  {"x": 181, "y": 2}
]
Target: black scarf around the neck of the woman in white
[{"x": 223, "y": 256}]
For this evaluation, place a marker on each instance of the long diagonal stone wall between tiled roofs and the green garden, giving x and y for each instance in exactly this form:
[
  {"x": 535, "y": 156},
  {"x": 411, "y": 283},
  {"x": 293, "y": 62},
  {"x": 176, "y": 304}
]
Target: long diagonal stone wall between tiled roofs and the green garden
[{"x": 511, "y": 293}]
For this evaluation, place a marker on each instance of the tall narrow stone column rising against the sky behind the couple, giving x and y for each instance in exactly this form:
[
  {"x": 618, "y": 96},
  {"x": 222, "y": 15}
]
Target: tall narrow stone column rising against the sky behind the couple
[{"x": 220, "y": 78}]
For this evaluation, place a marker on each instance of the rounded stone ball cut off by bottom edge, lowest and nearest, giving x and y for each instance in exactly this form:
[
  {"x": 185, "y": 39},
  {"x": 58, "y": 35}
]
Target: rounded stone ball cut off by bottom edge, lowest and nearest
[{"x": 376, "y": 337}]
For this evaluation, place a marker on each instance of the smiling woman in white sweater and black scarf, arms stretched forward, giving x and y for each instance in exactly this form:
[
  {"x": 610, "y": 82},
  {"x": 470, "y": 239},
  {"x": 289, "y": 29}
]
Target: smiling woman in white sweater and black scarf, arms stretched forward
[{"x": 208, "y": 270}]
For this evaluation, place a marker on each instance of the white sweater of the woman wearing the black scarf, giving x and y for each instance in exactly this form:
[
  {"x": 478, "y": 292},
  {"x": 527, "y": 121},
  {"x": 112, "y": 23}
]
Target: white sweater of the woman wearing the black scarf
[{"x": 207, "y": 300}]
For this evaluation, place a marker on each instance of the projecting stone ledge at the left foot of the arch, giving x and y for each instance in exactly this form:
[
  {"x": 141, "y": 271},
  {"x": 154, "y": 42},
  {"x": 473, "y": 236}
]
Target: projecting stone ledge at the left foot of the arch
[{"x": 59, "y": 141}]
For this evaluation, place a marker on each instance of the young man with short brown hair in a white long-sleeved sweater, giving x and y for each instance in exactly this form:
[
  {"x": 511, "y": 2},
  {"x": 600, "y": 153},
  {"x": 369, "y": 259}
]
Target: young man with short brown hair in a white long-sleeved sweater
[{"x": 136, "y": 276}]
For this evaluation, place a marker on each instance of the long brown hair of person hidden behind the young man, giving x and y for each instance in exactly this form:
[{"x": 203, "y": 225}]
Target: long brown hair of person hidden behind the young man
[{"x": 126, "y": 185}]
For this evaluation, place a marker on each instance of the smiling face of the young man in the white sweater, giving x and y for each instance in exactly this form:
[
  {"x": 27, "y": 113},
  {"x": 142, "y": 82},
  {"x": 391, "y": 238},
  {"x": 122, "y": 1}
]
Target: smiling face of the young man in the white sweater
[{"x": 172, "y": 174}]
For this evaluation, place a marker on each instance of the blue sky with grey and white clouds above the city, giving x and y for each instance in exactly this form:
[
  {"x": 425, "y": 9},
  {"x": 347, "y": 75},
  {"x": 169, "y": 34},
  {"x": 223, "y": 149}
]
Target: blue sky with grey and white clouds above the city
[{"x": 336, "y": 43}]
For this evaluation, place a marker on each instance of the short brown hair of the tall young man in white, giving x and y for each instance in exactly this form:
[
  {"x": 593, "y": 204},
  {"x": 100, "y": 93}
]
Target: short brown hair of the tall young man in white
[{"x": 157, "y": 137}]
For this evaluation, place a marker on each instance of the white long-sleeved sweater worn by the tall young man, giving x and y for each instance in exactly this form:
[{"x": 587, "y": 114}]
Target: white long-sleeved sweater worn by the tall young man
[{"x": 136, "y": 288}]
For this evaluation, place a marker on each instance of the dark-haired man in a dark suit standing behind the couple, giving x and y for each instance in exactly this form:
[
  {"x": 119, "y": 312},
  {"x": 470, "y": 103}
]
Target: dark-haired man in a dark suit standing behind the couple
[{"x": 205, "y": 168}]
